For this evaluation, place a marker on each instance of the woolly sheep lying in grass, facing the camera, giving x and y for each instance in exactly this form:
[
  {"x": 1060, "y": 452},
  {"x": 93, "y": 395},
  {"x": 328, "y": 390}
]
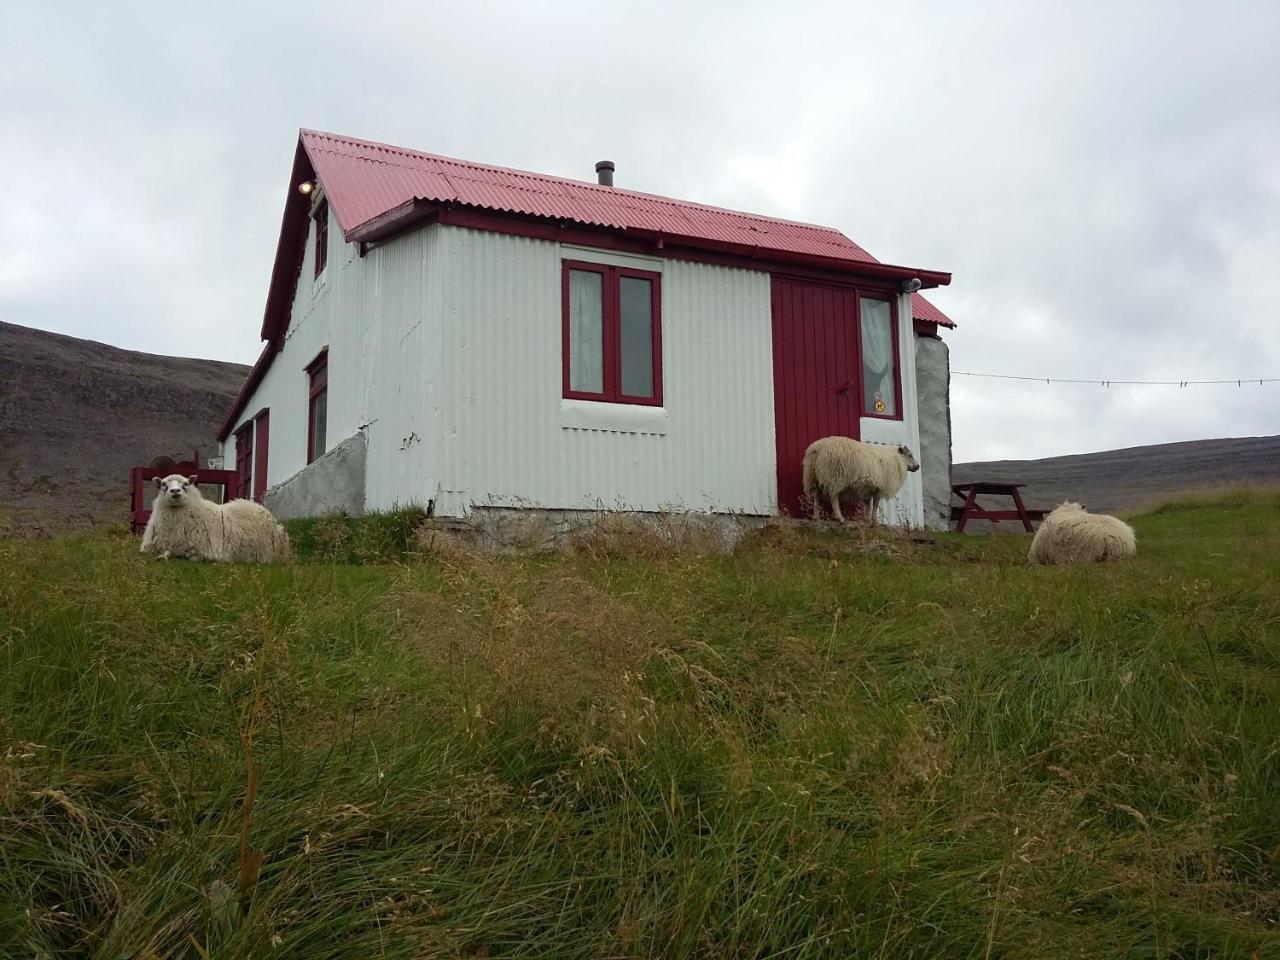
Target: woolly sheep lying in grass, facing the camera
[{"x": 184, "y": 524}]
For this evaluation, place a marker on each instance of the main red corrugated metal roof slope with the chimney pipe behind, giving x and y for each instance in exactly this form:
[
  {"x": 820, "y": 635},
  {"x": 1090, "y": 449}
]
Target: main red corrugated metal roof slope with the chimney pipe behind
[{"x": 365, "y": 180}]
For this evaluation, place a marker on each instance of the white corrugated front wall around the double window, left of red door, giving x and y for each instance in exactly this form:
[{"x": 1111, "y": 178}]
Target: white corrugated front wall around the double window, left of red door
[{"x": 510, "y": 440}]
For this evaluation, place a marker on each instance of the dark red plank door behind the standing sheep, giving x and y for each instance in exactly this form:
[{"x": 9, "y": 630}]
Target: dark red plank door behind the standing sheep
[{"x": 815, "y": 376}]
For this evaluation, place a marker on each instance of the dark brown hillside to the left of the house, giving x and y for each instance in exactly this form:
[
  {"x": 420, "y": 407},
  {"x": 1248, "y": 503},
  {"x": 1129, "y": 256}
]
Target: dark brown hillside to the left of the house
[{"x": 77, "y": 415}]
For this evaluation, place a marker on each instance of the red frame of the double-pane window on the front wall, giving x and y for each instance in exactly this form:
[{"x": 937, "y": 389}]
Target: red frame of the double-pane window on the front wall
[{"x": 611, "y": 289}]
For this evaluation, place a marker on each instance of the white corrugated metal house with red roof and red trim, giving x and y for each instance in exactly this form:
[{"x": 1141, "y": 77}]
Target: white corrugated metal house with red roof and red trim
[{"x": 464, "y": 337}]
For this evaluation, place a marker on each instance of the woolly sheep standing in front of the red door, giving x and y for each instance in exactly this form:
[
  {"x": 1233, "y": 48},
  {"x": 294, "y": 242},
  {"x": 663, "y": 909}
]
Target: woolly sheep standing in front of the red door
[{"x": 872, "y": 473}]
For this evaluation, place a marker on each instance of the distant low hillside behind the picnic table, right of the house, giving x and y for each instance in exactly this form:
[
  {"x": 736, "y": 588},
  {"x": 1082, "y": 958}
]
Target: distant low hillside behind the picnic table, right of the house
[{"x": 1133, "y": 478}]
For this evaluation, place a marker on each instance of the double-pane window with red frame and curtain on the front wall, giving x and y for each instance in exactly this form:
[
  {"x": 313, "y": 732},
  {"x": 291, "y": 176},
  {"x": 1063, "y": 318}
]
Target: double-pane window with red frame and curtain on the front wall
[{"x": 612, "y": 348}]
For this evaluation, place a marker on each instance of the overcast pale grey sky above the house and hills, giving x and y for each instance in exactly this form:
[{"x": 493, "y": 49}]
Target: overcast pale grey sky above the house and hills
[{"x": 1103, "y": 180}]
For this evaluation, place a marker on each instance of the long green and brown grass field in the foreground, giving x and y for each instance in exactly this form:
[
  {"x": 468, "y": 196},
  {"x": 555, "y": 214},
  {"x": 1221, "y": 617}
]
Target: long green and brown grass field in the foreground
[{"x": 821, "y": 746}]
